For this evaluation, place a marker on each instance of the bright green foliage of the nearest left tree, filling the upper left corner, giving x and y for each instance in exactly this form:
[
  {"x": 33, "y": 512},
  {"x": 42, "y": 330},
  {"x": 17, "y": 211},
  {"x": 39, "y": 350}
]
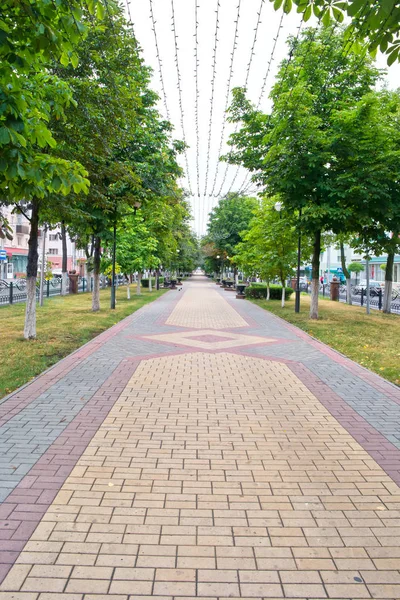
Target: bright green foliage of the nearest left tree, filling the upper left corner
[{"x": 32, "y": 36}]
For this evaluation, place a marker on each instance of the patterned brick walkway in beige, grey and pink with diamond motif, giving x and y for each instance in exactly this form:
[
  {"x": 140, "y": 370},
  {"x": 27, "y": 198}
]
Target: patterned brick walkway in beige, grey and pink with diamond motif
[{"x": 201, "y": 448}]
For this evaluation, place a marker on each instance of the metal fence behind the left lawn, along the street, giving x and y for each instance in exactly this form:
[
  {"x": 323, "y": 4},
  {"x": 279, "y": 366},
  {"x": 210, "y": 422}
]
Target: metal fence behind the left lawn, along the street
[{"x": 14, "y": 292}]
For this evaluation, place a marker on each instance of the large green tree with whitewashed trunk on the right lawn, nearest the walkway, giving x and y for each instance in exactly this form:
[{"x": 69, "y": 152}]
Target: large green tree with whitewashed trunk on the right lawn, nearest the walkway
[{"x": 291, "y": 150}]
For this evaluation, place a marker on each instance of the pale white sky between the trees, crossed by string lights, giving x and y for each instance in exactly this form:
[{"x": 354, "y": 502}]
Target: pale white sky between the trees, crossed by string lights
[{"x": 257, "y": 28}]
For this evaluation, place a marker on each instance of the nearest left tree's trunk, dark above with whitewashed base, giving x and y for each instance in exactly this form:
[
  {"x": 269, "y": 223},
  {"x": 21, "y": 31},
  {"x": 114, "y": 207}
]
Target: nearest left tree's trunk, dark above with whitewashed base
[{"x": 31, "y": 274}]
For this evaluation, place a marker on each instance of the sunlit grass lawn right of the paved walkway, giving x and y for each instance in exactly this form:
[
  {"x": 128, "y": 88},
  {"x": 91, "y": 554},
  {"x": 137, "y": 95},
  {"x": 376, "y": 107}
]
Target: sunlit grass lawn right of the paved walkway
[{"x": 371, "y": 340}]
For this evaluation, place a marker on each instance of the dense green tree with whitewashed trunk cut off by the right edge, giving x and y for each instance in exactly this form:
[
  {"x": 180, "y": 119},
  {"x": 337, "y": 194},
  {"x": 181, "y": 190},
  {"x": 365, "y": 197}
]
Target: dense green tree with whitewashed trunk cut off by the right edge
[{"x": 367, "y": 176}]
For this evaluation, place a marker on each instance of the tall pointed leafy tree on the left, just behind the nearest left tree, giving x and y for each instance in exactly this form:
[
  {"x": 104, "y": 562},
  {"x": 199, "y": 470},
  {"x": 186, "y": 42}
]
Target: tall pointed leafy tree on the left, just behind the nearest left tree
[{"x": 117, "y": 131}]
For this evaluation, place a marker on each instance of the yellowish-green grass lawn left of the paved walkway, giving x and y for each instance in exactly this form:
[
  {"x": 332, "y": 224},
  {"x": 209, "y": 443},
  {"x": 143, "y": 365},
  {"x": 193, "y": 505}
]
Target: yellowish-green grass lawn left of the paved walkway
[{"x": 63, "y": 324}]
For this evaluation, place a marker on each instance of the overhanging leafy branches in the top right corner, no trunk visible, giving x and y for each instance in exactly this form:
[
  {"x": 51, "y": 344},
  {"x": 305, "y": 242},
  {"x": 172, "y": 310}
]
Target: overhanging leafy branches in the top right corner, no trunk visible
[{"x": 376, "y": 22}]
